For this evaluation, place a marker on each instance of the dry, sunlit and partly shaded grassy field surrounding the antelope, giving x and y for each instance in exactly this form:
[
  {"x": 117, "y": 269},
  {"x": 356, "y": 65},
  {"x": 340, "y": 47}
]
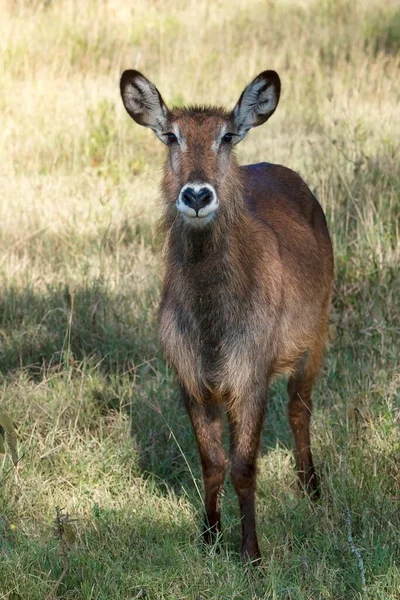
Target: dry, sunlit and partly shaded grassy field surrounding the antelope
[{"x": 101, "y": 432}]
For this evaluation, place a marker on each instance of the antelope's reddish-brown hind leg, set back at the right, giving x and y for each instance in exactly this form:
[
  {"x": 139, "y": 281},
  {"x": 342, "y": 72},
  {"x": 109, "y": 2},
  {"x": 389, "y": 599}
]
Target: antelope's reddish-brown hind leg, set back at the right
[{"x": 300, "y": 408}]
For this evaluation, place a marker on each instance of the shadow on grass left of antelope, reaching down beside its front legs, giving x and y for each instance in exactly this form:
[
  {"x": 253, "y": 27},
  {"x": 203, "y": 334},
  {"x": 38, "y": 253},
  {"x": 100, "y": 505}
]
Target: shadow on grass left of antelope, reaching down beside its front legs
[{"x": 112, "y": 338}]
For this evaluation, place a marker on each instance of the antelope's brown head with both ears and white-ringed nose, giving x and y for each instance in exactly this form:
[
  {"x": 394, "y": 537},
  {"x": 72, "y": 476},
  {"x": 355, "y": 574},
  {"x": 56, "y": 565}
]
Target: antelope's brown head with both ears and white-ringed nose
[{"x": 200, "y": 140}]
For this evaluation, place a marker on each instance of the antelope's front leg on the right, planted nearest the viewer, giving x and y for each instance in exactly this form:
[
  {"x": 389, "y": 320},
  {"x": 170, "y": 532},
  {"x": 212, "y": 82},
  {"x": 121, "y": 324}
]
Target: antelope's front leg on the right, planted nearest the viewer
[{"x": 246, "y": 418}]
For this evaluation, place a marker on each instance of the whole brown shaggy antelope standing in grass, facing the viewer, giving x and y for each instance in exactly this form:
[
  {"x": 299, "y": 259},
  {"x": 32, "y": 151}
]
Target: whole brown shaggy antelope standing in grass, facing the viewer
[{"x": 246, "y": 289}]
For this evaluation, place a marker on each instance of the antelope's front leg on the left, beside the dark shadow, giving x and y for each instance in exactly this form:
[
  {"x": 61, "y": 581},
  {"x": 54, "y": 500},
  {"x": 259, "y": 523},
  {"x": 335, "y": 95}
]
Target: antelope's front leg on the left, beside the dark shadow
[{"x": 207, "y": 425}]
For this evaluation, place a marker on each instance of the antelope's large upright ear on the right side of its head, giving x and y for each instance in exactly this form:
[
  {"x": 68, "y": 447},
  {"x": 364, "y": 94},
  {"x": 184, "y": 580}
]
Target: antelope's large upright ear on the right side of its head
[{"x": 257, "y": 103}]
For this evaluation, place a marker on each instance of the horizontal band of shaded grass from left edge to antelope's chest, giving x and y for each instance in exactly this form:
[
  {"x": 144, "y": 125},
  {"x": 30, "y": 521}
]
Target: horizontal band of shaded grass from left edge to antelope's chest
[{"x": 63, "y": 325}]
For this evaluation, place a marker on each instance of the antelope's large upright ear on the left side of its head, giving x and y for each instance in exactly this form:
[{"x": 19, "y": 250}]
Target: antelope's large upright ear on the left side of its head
[{"x": 143, "y": 102}]
